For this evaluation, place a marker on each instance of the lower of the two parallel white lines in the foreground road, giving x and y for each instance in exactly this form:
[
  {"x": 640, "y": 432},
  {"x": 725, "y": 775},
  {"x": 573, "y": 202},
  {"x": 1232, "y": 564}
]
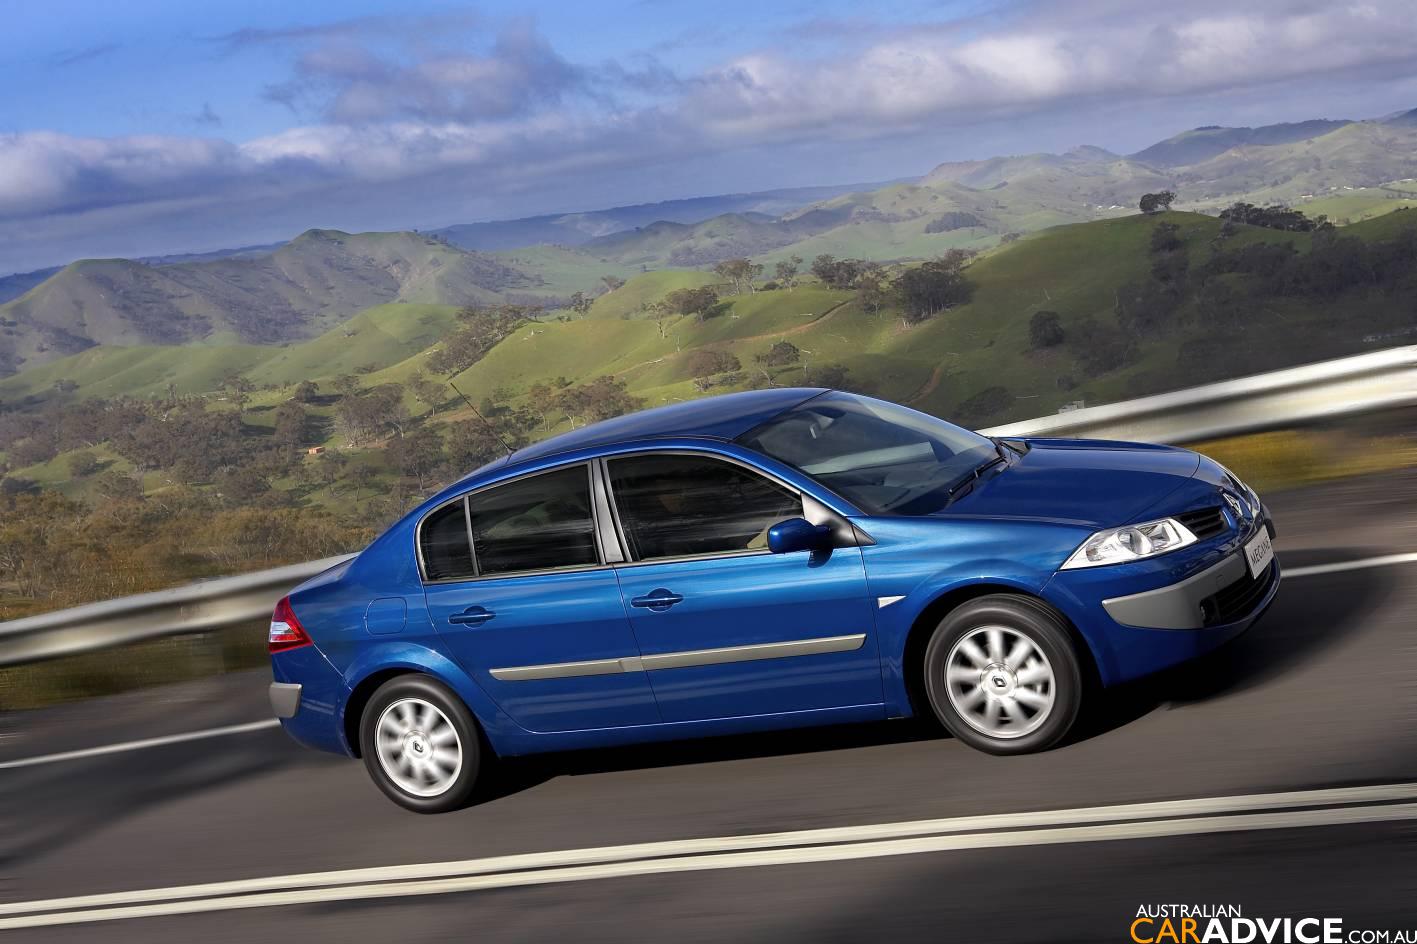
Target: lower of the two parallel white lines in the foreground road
[{"x": 797, "y": 855}]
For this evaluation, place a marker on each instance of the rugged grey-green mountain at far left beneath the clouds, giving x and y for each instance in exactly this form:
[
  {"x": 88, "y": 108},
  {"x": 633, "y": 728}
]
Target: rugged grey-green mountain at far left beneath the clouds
[{"x": 298, "y": 291}]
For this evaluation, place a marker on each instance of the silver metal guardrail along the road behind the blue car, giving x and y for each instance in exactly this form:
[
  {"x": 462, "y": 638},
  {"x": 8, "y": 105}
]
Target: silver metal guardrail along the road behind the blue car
[{"x": 1299, "y": 396}]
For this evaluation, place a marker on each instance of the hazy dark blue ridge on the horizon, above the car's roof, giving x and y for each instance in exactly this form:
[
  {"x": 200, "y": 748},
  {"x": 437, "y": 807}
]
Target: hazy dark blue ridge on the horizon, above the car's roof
[{"x": 579, "y": 229}]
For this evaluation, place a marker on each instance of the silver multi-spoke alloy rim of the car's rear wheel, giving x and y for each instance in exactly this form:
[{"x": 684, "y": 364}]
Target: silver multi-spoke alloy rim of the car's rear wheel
[{"x": 419, "y": 748}]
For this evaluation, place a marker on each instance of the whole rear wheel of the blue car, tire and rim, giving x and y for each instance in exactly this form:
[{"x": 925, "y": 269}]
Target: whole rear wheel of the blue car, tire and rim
[{"x": 420, "y": 745}]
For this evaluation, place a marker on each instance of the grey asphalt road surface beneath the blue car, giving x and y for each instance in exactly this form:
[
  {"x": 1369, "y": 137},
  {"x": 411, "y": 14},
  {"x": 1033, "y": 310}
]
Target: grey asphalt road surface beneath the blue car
[{"x": 1321, "y": 694}]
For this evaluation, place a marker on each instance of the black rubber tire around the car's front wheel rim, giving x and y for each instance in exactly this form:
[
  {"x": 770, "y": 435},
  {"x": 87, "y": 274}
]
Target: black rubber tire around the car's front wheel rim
[{"x": 1021, "y": 617}]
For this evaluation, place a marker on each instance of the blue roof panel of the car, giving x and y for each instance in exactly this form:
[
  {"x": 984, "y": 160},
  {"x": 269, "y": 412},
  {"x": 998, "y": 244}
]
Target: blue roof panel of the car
[{"x": 723, "y": 417}]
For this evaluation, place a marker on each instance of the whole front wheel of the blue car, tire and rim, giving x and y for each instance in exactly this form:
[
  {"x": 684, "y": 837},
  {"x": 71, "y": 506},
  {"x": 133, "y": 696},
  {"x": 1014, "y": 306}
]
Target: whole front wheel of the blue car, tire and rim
[{"x": 1003, "y": 675}]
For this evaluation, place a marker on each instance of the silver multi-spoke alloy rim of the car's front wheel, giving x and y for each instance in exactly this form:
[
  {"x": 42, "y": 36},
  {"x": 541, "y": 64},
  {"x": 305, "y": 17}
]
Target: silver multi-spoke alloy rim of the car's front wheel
[{"x": 1000, "y": 682}]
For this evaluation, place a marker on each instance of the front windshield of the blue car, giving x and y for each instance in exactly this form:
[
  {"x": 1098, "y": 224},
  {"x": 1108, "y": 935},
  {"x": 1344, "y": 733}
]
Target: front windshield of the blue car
[{"x": 885, "y": 459}]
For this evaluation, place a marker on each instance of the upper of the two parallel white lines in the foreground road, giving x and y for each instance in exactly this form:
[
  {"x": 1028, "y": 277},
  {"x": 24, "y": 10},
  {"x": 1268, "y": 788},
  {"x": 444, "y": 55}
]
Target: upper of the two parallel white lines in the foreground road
[{"x": 1124, "y": 813}]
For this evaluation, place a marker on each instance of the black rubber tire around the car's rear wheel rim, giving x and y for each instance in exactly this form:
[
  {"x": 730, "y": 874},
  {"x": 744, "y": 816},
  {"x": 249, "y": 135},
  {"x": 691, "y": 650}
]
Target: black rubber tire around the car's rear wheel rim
[{"x": 412, "y": 691}]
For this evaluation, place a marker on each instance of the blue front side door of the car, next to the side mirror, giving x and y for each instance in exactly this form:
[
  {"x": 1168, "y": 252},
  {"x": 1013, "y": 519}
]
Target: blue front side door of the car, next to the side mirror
[{"x": 725, "y": 627}]
